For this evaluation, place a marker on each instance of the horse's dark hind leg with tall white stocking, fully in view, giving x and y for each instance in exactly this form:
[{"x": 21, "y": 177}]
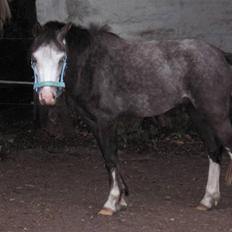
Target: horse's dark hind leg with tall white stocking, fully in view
[{"x": 212, "y": 192}]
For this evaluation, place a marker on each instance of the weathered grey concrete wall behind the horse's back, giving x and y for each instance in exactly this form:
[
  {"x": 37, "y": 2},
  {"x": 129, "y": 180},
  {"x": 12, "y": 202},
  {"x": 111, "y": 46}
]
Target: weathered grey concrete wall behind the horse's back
[{"x": 210, "y": 20}]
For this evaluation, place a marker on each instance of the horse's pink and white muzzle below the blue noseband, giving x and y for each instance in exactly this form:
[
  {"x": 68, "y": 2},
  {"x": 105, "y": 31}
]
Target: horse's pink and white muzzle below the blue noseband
[{"x": 47, "y": 96}]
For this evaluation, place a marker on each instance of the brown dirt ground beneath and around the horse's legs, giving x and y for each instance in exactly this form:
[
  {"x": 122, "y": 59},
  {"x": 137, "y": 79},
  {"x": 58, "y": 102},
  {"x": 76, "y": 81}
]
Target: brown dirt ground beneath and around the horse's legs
[{"x": 45, "y": 187}]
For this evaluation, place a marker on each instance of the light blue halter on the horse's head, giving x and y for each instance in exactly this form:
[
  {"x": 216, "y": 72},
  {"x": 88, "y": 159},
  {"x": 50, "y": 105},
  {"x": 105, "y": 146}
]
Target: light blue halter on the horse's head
[{"x": 59, "y": 84}]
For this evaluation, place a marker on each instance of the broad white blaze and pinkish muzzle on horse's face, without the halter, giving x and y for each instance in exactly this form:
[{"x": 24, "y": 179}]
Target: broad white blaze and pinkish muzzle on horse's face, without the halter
[{"x": 48, "y": 68}]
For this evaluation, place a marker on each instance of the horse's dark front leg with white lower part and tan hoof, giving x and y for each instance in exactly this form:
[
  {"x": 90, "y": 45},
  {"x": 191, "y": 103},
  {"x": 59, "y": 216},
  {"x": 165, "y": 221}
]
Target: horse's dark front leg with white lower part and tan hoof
[{"x": 106, "y": 137}]
